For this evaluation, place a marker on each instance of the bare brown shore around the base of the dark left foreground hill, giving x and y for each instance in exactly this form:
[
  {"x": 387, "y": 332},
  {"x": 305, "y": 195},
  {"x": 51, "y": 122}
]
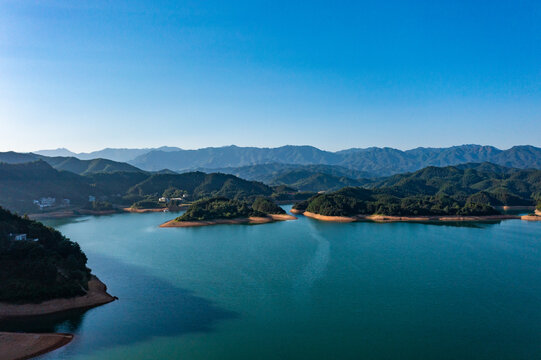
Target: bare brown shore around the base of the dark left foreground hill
[{"x": 96, "y": 295}]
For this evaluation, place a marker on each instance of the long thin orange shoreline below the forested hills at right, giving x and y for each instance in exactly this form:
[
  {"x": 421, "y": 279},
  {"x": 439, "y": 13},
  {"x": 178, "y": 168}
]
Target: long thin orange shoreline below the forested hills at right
[{"x": 433, "y": 218}]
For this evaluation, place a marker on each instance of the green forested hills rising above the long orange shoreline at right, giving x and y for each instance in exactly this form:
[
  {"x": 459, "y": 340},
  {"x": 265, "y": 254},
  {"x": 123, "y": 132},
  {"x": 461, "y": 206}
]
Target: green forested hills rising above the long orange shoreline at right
[{"x": 472, "y": 189}]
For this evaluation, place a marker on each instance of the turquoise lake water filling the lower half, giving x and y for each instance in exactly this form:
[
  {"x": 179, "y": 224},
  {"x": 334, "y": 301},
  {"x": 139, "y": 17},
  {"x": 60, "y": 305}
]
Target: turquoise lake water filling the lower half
[{"x": 305, "y": 290}]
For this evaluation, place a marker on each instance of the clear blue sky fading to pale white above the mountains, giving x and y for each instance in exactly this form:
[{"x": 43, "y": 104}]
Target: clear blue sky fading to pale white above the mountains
[{"x": 333, "y": 74}]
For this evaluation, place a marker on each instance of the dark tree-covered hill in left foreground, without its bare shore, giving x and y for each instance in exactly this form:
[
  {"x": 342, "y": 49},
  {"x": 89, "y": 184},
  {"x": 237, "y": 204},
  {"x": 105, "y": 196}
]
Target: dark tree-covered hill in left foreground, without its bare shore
[{"x": 41, "y": 267}]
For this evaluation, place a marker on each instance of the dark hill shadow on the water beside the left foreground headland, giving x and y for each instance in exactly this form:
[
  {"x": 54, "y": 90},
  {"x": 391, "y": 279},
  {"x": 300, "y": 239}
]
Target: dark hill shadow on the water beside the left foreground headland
[{"x": 147, "y": 307}]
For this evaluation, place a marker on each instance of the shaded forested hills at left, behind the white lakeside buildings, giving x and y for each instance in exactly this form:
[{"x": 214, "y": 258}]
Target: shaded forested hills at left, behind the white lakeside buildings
[{"x": 21, "y": 184}]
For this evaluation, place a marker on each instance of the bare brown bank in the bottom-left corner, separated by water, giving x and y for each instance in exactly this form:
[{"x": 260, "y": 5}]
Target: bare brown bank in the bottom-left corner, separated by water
[{"x": 19, "y": 346}]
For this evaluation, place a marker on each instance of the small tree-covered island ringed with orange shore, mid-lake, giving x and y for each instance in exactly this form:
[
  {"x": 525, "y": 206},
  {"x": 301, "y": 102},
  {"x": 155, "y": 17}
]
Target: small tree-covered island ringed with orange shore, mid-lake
[{"x": 221, "y": 210}]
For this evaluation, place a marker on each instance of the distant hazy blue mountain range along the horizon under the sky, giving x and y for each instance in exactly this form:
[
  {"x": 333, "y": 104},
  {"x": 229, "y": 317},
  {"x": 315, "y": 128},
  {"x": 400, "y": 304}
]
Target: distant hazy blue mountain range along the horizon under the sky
[{"x": 373, "y": 162}]
